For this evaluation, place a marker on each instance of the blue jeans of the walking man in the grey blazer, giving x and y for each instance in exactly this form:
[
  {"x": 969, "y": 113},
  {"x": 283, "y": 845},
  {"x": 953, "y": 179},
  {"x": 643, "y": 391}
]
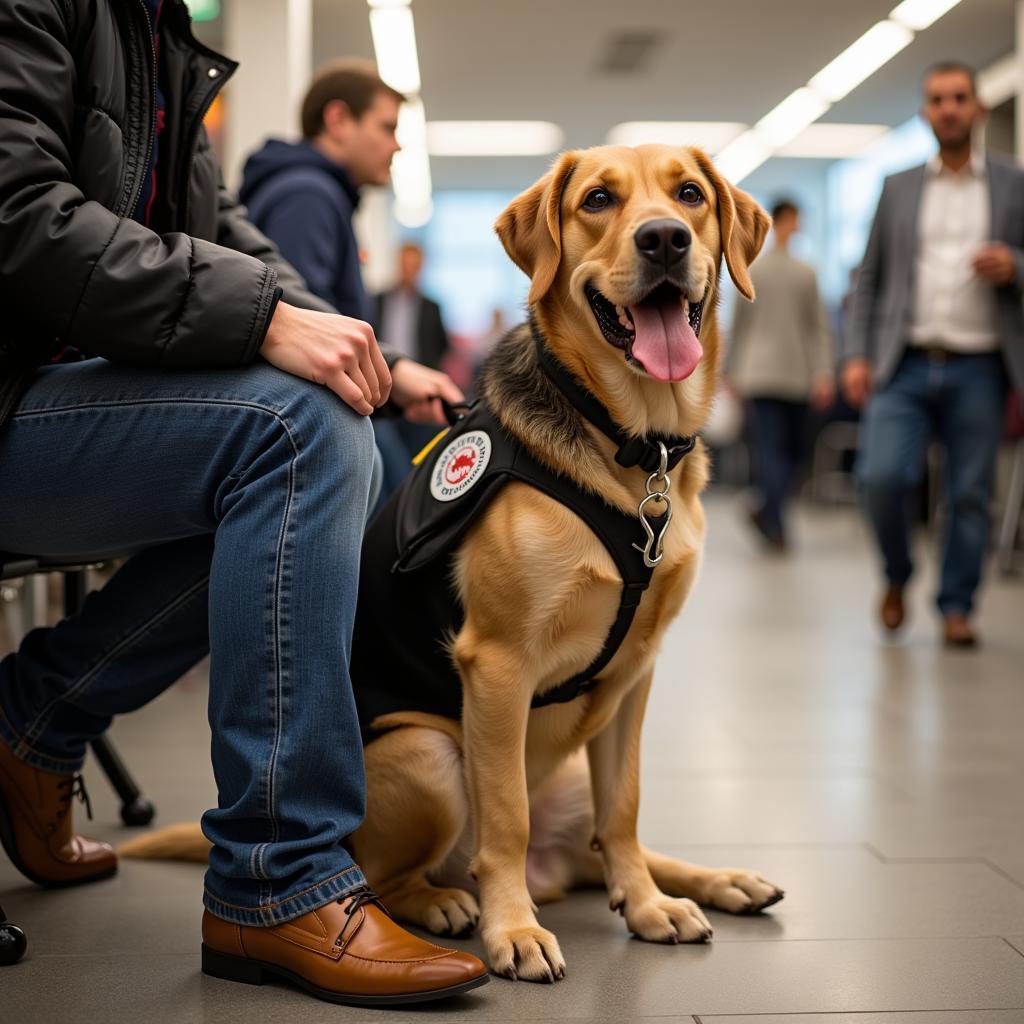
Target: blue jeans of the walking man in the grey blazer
[{"x": 962, "y": 402}]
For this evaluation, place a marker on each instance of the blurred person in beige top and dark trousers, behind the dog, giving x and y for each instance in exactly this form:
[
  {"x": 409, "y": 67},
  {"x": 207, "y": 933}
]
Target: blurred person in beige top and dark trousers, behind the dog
[{"x": 781, "y": 361}]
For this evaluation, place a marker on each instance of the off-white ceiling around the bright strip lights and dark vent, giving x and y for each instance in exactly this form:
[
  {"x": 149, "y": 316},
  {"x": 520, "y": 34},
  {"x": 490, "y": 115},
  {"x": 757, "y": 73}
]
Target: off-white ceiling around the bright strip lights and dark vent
[{"x": 715, "y": 61}]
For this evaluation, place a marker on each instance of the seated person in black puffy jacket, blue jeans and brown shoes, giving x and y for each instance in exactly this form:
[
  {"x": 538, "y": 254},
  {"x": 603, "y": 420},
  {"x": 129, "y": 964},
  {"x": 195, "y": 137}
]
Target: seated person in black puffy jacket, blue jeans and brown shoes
[{"x": 215, "y": 422}]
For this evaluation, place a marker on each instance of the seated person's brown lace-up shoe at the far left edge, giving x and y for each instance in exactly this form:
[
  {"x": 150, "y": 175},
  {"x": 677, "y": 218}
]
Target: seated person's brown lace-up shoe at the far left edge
[{"x": 36, "y": 827}]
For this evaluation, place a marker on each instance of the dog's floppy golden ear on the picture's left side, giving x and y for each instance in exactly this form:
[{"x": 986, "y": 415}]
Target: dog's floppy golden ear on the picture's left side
[{"x": 531, "y": 228}]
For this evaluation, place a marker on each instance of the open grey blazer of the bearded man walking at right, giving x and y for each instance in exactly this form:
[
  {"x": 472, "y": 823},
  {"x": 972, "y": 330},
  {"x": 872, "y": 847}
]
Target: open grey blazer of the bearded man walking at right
[{"x": 883, "y": 304}]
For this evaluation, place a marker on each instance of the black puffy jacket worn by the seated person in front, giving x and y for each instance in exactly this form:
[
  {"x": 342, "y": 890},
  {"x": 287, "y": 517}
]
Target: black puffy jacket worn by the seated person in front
[{"x": 77, "y": 118}]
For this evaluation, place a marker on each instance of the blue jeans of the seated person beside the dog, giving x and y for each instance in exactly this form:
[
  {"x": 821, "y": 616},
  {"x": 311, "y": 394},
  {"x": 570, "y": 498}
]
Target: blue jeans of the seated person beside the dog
[{"x": 245, "y": 493}]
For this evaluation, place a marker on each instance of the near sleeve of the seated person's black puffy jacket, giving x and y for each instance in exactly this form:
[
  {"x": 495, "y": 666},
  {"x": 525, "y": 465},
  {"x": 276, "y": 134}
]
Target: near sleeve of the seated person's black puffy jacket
[{"x": 70, "y": 269}]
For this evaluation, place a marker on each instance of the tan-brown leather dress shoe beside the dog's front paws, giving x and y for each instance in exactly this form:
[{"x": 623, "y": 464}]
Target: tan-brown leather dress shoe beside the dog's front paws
[{"x": 349, "y": 952}]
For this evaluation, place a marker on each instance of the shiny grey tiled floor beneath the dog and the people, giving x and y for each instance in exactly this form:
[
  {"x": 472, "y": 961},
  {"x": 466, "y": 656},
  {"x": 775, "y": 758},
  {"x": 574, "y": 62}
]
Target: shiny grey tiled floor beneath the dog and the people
[{"x": 882, "y": 785}]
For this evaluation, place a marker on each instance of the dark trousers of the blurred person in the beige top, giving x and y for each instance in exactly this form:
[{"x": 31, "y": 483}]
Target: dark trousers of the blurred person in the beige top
[{"x": 778, "y": 436}]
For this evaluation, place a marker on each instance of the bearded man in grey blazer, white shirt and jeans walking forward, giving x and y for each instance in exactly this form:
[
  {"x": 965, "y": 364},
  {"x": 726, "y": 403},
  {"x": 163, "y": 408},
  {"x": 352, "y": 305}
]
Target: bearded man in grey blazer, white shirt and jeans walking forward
[{"x": 935, "y": 325}]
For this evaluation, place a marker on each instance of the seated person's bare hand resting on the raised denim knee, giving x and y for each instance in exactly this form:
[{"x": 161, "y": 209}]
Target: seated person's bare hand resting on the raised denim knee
[{"x": 327, "y": 349}]
